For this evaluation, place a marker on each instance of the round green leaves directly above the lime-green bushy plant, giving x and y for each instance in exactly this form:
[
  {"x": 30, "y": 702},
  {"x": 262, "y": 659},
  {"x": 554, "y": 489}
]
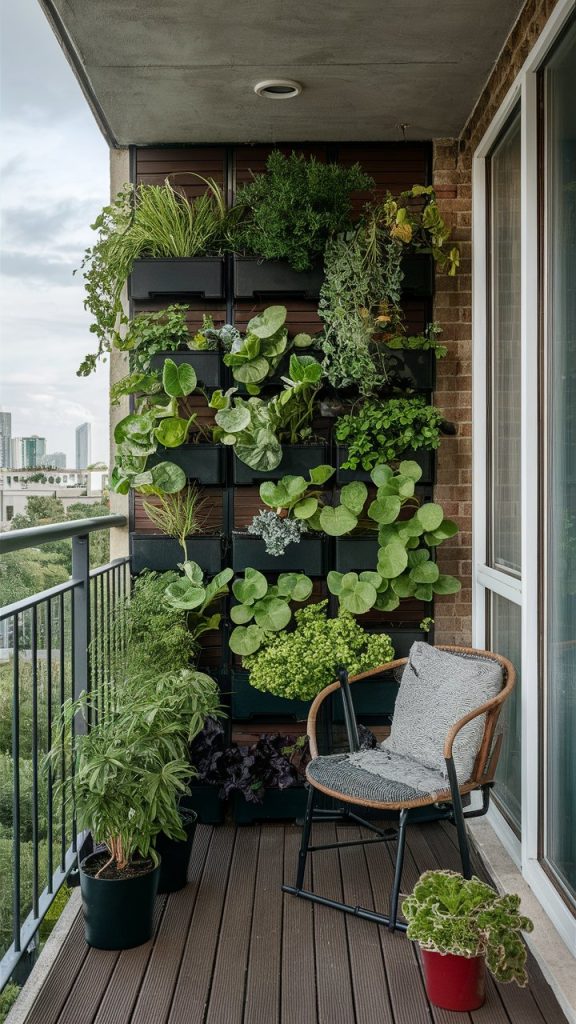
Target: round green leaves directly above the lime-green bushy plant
[{"x": 264, "y": 609}]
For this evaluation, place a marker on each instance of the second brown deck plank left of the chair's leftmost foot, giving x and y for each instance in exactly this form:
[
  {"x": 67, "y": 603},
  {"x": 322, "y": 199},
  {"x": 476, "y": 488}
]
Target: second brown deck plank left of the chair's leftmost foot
[{"x": 229, "y": 980}]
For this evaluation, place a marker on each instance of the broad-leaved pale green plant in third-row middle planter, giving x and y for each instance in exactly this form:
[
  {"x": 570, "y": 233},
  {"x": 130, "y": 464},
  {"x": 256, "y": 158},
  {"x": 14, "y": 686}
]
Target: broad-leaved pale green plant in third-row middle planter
[{"x": 258, "y": 429}]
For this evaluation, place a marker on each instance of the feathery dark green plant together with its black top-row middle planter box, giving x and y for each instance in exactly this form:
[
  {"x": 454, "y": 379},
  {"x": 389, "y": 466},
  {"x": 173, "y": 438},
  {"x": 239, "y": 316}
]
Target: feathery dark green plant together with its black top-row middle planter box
[{"x": 287, "y": 215}]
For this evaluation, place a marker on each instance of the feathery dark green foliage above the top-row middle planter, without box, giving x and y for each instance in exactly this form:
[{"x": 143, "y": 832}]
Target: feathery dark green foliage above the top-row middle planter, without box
[{"x": 296, "y": 206}]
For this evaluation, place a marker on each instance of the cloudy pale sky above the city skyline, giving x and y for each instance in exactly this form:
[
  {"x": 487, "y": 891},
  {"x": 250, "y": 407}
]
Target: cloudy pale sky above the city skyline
[{"x": 54, "y": 182}]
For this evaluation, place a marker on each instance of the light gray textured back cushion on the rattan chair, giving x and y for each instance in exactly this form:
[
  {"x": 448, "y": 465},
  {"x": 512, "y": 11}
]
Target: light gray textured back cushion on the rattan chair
[{"x": 438, "y": 689}]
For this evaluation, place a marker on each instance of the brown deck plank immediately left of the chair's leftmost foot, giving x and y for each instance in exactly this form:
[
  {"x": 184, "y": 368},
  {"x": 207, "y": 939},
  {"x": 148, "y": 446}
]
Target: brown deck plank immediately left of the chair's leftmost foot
[{"x": 263, "y": 986}]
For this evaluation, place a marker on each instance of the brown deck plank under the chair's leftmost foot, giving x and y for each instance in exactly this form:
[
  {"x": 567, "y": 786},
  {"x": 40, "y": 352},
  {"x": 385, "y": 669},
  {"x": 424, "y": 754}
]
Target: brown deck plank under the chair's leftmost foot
[{"x": 299, "y": 976}]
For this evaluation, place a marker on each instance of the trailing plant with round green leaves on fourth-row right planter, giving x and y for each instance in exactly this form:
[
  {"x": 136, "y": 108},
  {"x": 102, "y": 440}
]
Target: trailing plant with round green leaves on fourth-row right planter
[{"x": 405, "y": 569}]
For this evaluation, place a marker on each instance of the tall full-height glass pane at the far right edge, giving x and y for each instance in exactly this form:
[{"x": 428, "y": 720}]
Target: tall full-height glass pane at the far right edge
[{"x": 561, "y": 338}]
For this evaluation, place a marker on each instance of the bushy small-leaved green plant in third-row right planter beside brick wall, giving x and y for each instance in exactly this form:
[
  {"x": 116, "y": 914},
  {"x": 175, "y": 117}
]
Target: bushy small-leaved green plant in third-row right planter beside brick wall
[{"x": 382, "y": 432}]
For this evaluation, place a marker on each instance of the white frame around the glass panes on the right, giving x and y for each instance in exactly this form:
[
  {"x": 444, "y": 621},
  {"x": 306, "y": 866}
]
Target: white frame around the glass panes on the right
[{"x": 486, "y": 579}]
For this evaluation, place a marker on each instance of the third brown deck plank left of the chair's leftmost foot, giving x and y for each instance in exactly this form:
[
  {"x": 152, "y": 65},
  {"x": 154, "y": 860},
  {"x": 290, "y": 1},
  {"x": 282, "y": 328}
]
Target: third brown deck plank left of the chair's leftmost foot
[{"x": 193, "y": 986}]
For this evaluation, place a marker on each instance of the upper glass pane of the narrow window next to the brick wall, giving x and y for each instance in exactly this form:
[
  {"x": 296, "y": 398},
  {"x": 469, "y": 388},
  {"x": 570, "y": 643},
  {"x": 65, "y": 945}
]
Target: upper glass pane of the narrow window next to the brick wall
[{"x": 506, "y": 350}]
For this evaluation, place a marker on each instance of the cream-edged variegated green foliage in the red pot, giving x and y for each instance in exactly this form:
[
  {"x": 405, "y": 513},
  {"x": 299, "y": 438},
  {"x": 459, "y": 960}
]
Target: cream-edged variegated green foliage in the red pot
[{"x": 448, "y": 914}]
